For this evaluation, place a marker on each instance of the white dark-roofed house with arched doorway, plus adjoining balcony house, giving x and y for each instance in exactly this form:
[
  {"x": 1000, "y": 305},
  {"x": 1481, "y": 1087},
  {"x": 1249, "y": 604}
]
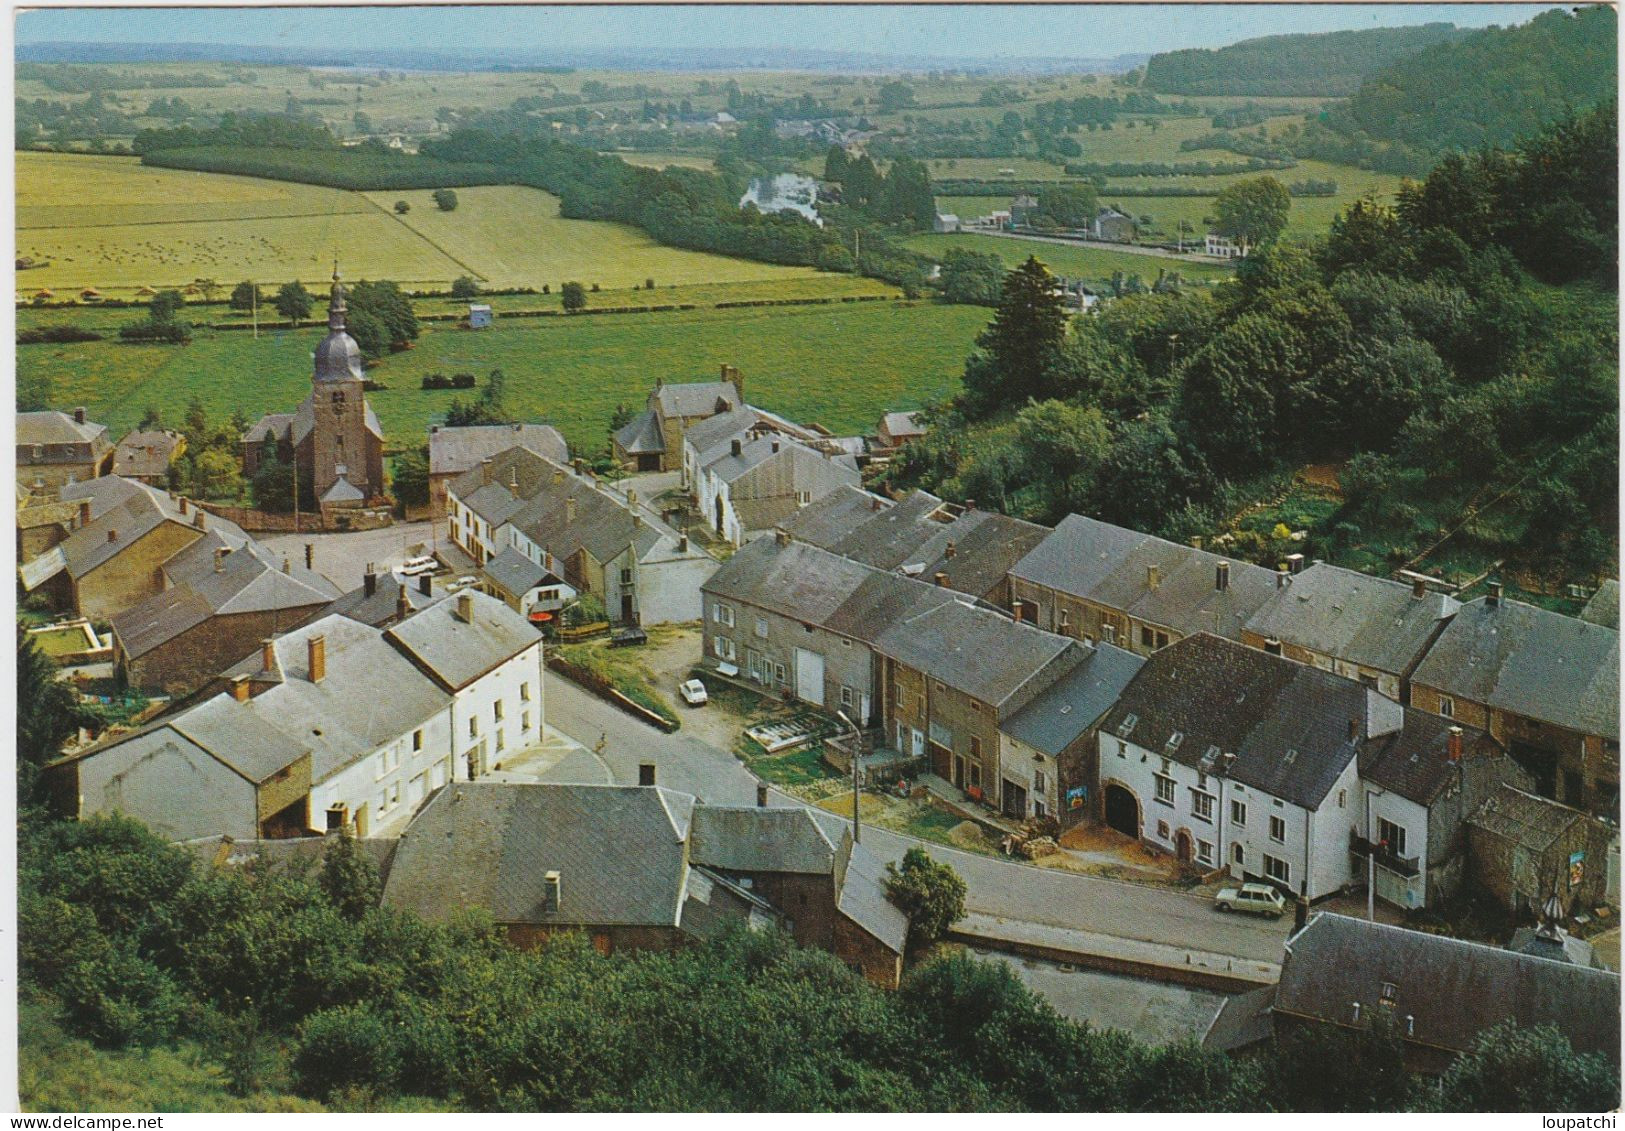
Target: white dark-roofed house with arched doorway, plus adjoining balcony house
[{"x": 1236, "y": 760}]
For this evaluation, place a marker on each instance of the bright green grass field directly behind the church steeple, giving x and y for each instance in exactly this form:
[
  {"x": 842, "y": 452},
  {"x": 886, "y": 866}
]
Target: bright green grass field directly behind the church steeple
[{"x": 841, "y": 366}]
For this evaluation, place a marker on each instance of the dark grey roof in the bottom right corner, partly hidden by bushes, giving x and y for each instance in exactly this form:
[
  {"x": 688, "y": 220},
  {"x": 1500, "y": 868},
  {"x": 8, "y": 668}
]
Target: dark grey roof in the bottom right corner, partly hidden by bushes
[{"x": 1454, "y": 990}]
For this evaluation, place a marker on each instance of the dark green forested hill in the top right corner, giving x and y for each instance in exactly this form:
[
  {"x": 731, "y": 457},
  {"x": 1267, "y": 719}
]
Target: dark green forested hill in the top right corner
[{"x": 1491, "y": 89}]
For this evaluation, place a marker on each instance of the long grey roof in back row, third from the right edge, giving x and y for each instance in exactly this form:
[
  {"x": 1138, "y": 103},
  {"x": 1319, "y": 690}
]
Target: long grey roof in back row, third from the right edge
[{"x": 1111, "y": 566}]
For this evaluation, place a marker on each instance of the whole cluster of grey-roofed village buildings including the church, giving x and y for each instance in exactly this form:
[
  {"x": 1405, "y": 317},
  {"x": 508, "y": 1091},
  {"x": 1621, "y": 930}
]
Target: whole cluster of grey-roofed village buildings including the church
[{"x": 1322, "y": 742}]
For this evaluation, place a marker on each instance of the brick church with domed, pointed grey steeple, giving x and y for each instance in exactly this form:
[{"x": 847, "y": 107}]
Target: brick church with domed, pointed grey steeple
[{"x": 334, "y": 438}]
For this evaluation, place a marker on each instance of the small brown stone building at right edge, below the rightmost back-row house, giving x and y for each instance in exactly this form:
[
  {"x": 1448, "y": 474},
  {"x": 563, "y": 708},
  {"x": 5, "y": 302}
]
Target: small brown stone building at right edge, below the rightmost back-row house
[{"x": 1528, "y": 849}]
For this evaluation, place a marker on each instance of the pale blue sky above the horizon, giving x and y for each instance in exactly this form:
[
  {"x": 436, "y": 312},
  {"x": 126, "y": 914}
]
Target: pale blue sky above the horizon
[{"x": 1091, "y": 32}]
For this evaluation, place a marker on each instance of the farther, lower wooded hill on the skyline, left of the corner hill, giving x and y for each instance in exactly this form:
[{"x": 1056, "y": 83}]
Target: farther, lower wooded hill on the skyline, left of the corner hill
[{"x": 1330, "y": 64}]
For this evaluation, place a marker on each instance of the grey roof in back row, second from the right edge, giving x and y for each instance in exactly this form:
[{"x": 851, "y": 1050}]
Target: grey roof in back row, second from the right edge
[{"x": 1364, "y": 620}]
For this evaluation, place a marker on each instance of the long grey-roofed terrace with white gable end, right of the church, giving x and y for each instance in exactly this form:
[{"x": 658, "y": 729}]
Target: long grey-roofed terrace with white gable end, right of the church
[{"x": 576, "y": 529}]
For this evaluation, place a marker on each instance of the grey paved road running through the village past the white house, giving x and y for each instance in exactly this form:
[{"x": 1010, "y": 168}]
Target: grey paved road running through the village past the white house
[{"x": 995, "y": 886}]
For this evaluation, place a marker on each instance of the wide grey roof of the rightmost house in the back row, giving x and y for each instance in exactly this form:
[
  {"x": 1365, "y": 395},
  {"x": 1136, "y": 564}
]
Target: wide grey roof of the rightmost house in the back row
[{"x": 1528, "y": 662}]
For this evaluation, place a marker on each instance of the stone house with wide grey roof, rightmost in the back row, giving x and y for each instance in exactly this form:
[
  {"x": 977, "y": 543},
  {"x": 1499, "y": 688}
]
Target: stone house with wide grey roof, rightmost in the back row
[{"x": 1545, "y": 685}]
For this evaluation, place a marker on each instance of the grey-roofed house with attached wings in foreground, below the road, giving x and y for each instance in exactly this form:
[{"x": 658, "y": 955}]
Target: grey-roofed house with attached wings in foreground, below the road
[{"x": 643, "y": 869}]
